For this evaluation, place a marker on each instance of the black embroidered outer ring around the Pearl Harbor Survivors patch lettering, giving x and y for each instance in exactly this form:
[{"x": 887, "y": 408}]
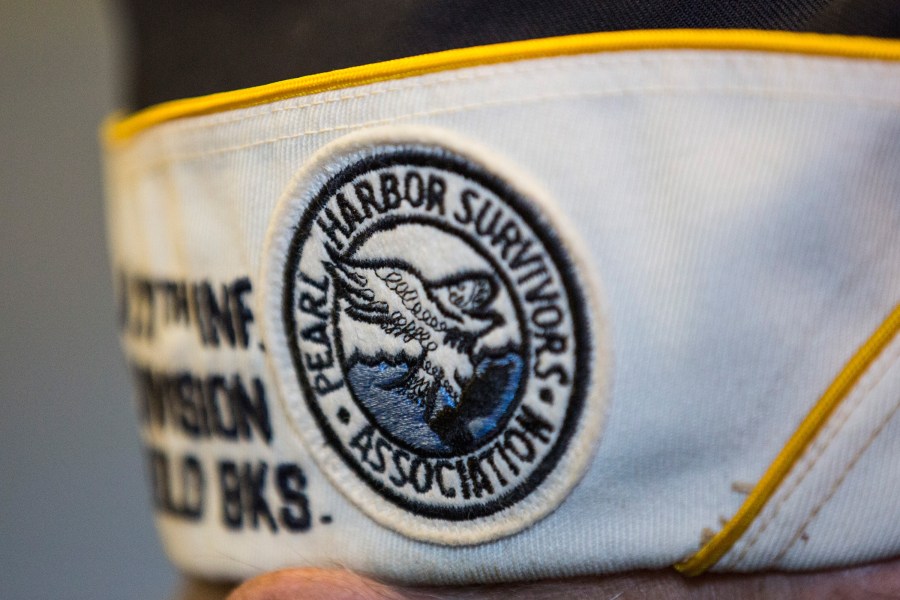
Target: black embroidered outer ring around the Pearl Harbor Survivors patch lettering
[{"x": 542, "y": 228}]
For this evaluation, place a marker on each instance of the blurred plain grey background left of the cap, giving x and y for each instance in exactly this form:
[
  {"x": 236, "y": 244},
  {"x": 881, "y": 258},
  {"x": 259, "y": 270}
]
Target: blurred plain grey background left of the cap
[{"x": 75, "y": 518}]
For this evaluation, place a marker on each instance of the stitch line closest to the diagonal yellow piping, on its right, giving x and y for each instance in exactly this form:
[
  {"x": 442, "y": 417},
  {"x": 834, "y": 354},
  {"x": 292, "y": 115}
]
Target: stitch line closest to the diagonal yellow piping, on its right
[{"x": 816, "y": 451}]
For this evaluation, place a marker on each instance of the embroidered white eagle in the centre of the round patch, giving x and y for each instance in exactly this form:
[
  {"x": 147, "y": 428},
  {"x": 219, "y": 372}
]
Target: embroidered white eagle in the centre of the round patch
[{"x": 441, "y": 323}]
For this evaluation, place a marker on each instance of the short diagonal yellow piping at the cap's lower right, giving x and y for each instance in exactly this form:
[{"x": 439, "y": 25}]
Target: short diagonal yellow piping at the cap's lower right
[{"x": 719, "y": 545}]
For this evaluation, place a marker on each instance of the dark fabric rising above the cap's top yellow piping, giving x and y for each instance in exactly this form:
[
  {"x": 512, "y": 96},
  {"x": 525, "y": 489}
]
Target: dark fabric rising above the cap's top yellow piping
[{"x": 182, "y": 49}]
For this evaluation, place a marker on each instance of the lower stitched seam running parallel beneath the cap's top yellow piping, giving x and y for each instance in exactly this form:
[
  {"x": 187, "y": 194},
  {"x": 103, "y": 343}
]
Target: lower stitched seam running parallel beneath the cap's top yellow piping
[{"x": 768, "y": 93}]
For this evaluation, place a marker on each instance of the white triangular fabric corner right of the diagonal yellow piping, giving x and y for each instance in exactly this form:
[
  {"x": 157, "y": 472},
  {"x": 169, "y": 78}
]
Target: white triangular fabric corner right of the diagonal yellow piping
[{"x": 841, "y": 500}]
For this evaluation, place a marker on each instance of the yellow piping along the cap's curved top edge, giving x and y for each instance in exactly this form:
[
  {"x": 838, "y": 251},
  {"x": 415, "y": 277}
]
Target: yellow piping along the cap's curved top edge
[{"x": 118, "y": 129}]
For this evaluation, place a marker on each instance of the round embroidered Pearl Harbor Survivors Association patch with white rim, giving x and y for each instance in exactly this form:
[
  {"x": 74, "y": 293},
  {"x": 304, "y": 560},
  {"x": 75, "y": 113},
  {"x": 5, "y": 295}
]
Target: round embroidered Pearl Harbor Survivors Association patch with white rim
[{"x": 433, "y": 335}]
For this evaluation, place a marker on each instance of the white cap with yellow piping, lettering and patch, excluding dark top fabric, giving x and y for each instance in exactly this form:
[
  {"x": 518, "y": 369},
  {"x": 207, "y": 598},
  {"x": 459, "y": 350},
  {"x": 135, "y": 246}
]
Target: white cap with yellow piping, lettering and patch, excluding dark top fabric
[{"x": 549, "y": 308}]
